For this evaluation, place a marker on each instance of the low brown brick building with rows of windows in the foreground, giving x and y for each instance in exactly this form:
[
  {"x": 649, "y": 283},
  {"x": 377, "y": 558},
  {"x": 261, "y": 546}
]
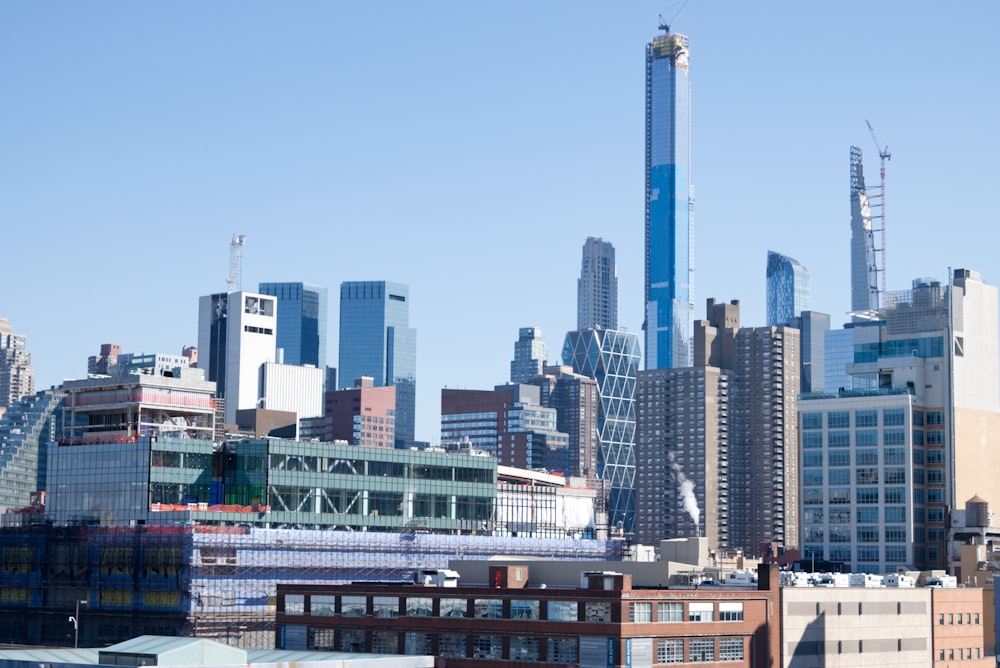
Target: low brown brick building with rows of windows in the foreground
[{"x": 514, "y": 620}]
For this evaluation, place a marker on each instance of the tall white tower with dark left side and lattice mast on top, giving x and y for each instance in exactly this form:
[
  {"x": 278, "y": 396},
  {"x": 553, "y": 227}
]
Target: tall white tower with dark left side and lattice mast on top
[{"x": 236, "y": 336}]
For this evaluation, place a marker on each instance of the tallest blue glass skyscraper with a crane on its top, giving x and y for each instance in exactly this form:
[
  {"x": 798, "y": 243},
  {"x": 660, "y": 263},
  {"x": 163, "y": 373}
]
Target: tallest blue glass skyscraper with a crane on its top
[{"x": 669, "y": 204}]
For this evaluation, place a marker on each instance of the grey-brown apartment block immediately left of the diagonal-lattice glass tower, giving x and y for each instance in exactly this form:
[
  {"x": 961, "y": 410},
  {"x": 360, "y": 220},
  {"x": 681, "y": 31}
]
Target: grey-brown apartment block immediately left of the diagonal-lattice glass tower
[{"x": 576, "y": 401}]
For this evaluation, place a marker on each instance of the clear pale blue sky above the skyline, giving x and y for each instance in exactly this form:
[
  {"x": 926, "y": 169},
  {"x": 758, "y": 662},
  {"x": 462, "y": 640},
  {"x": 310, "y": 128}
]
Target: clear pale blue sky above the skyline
[{"x": 467, "y": 149}]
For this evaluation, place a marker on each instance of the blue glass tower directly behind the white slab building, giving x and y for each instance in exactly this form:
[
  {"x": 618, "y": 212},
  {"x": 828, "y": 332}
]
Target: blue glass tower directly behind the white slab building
[{"x": 302, "y": 318}]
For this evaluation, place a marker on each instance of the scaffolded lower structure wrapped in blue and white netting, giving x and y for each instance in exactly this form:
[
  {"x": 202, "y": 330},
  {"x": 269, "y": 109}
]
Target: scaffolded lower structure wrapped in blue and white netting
[{"x": 212, "y": 581}]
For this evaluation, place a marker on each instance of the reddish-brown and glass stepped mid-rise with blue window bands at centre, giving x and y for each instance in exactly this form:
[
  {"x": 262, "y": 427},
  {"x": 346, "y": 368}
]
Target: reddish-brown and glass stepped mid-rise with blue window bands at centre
[{"x": 509, "y": 423}]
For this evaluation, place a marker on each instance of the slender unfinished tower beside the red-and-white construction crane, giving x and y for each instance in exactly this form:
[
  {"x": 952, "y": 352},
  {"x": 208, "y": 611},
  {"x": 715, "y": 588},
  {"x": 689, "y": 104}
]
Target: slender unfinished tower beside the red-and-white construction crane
[{"x": 864, "y": 267}]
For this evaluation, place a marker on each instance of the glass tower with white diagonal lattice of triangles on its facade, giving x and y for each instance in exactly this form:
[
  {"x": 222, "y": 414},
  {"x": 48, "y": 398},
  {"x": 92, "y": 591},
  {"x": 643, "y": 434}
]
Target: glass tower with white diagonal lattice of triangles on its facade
[{"x": 611, "y": 357}]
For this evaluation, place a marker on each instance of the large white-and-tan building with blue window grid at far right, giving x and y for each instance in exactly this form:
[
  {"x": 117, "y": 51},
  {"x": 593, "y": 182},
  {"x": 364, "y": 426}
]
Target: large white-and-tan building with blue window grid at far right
[{"x": 914, "y": 435}]
